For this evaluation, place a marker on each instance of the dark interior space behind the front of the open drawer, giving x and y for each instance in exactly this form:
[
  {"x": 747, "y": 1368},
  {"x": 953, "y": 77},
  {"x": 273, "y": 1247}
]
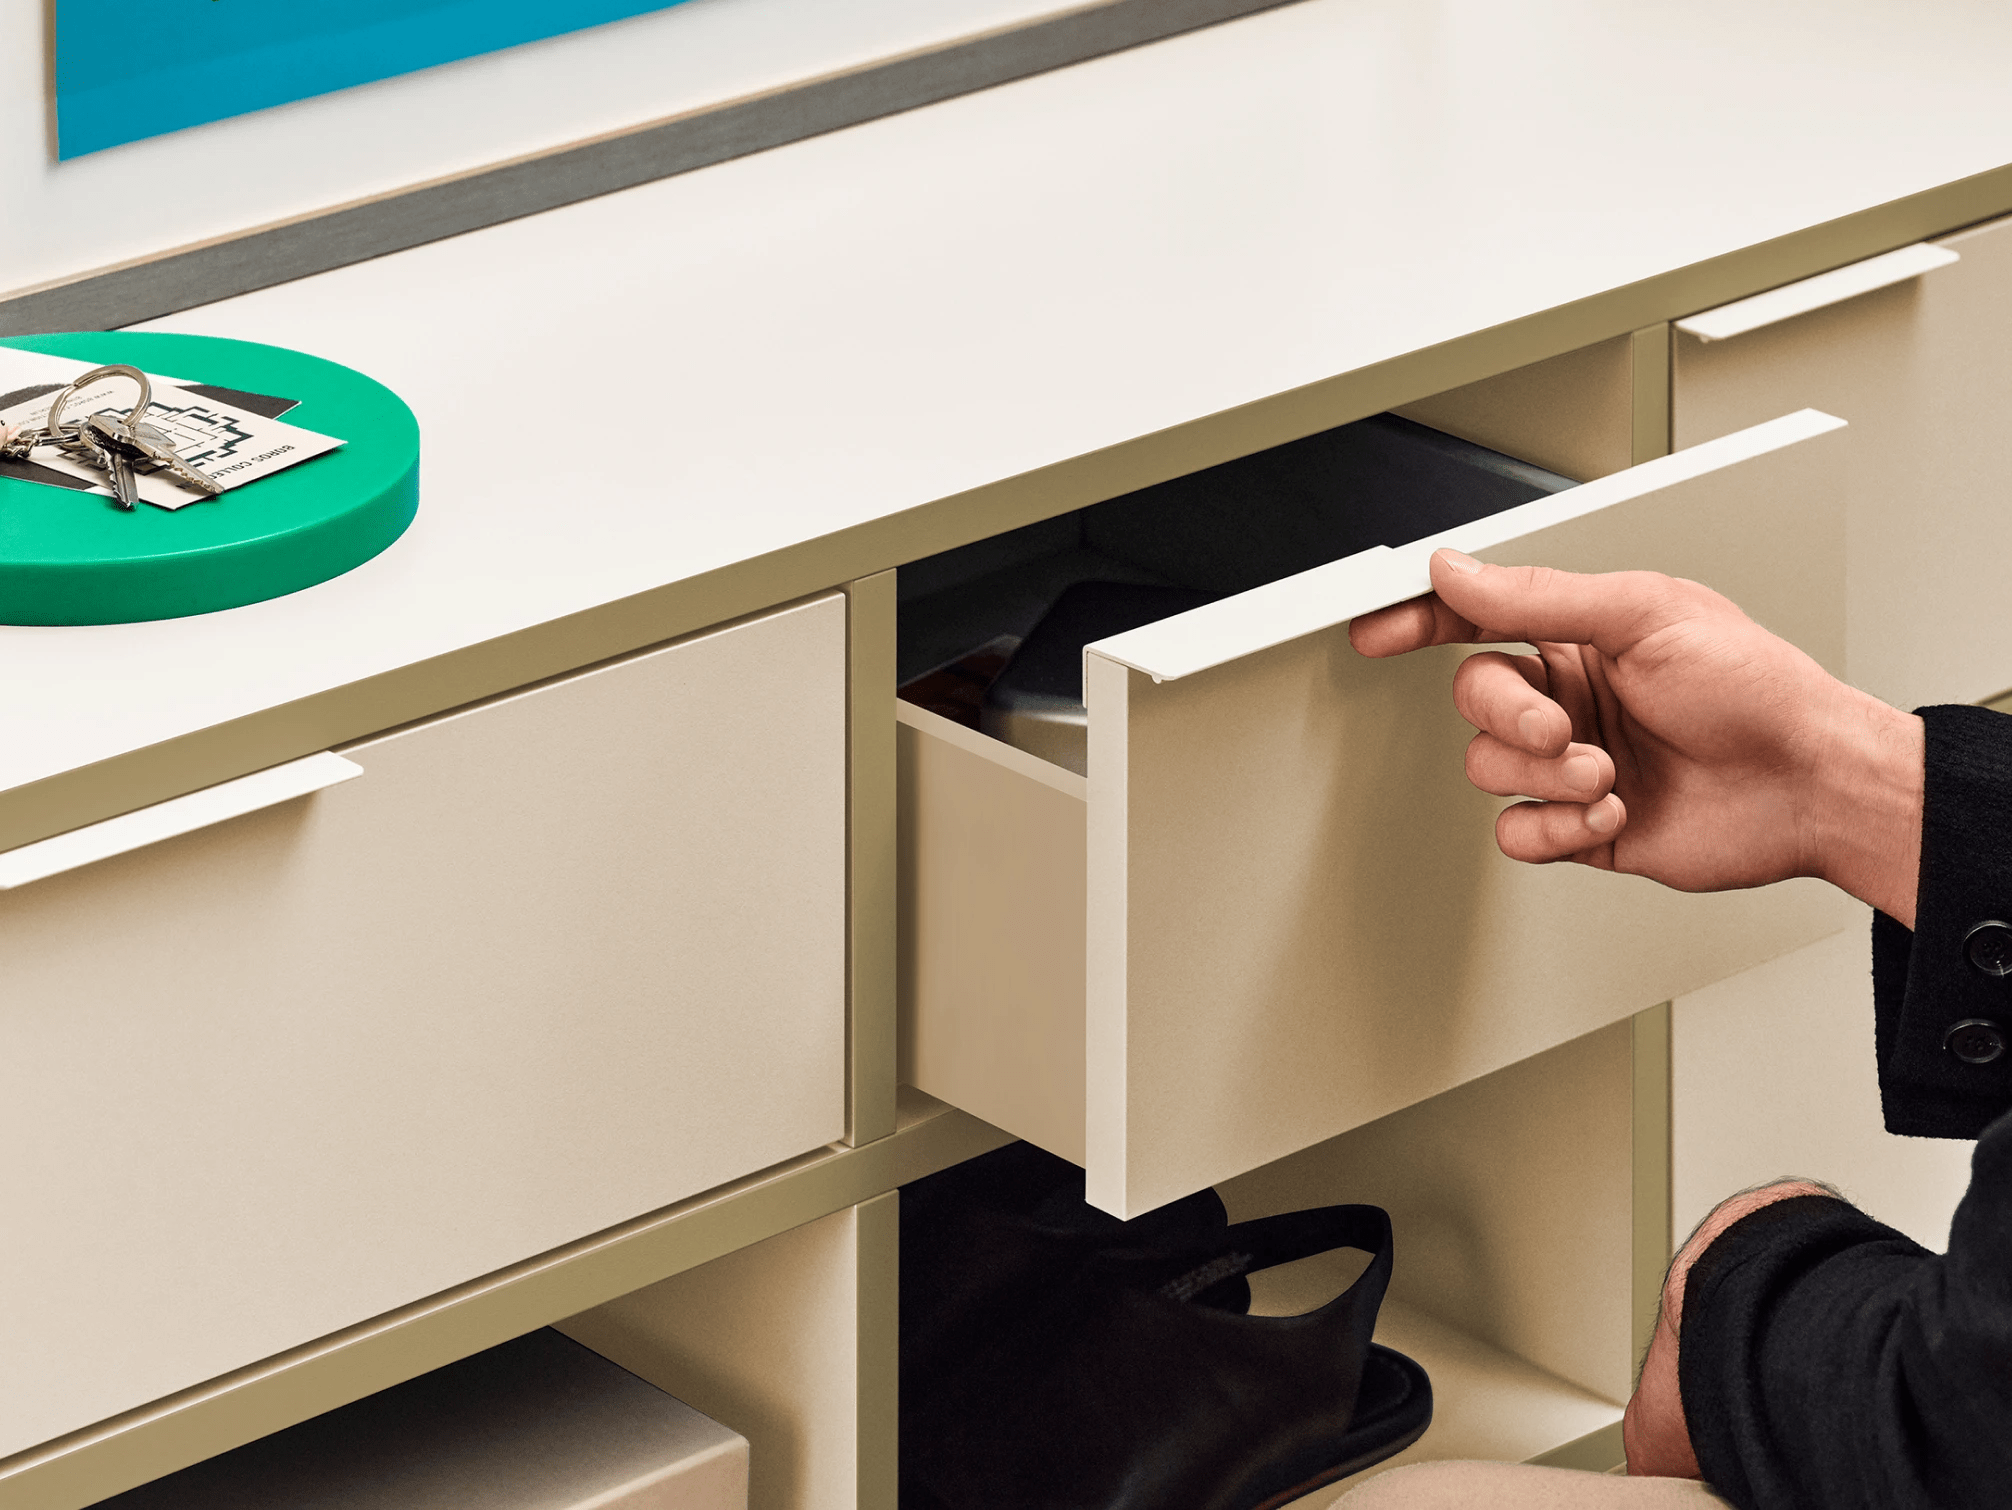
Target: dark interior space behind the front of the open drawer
[{"x": 1216, "y": 533}]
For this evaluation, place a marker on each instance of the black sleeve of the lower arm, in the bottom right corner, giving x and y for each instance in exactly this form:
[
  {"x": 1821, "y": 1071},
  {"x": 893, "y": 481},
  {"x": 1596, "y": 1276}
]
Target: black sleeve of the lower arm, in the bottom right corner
[{"x": 1832, "y": 1364}]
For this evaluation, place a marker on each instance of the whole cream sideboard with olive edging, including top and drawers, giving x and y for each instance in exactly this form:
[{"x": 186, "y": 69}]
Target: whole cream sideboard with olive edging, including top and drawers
[{"x": 655, "y": 947}]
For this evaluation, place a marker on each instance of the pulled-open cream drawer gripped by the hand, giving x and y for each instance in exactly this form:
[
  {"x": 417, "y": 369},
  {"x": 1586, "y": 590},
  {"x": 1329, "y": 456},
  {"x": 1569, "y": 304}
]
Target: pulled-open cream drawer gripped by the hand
[{"x": 1275, "y": 909}]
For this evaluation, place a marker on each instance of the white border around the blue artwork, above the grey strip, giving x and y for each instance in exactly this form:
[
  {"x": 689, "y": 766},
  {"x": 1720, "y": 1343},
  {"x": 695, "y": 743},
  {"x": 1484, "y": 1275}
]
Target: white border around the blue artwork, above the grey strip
[{"x": 116, "y": 206}]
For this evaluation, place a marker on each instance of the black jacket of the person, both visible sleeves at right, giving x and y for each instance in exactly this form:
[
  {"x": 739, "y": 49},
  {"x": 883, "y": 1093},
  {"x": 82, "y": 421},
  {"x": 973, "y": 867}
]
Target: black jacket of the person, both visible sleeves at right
[{"x": 1826, "y": 1360}]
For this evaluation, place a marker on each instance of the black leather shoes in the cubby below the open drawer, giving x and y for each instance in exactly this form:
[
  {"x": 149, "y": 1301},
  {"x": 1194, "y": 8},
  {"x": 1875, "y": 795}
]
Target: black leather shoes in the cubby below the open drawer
[{"x": 1124, "y": 1376}]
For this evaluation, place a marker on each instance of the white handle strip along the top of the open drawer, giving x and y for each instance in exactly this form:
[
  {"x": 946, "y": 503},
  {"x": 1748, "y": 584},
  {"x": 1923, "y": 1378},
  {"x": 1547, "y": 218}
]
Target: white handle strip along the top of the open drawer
[{"x": 1331, "y": 595}]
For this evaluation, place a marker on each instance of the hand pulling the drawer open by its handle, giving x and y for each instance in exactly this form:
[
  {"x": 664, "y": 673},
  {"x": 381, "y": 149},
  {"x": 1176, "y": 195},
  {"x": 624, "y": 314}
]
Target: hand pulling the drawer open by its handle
[{"x": 1665, "y": 734}]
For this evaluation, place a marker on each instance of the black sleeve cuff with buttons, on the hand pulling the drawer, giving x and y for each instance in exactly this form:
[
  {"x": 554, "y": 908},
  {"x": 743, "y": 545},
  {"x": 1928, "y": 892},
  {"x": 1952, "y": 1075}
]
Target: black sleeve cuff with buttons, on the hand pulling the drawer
[{"x": 1945, "y": 1018}]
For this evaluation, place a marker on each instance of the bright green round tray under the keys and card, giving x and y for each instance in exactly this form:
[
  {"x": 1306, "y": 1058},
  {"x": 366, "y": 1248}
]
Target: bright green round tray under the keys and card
[{"x": 77, "y": 559}]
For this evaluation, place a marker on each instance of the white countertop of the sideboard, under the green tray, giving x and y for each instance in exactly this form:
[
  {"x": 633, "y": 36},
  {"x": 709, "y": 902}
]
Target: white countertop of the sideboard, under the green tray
[{"x": 804, "y": 345}]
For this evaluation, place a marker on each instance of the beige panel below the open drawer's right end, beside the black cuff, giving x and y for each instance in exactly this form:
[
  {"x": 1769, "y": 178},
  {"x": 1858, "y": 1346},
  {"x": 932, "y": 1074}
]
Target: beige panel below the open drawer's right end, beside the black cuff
[{"x": 1774, "y": 1074}]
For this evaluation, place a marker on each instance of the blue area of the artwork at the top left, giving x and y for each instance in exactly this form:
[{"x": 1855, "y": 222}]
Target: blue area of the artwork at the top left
[{"x": 130, "y": 69}]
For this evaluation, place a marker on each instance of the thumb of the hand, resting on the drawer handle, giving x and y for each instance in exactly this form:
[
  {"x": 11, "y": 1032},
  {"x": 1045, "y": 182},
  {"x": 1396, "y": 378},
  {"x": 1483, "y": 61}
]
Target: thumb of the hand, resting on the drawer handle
[{"x": 1540, "y": 603}]
